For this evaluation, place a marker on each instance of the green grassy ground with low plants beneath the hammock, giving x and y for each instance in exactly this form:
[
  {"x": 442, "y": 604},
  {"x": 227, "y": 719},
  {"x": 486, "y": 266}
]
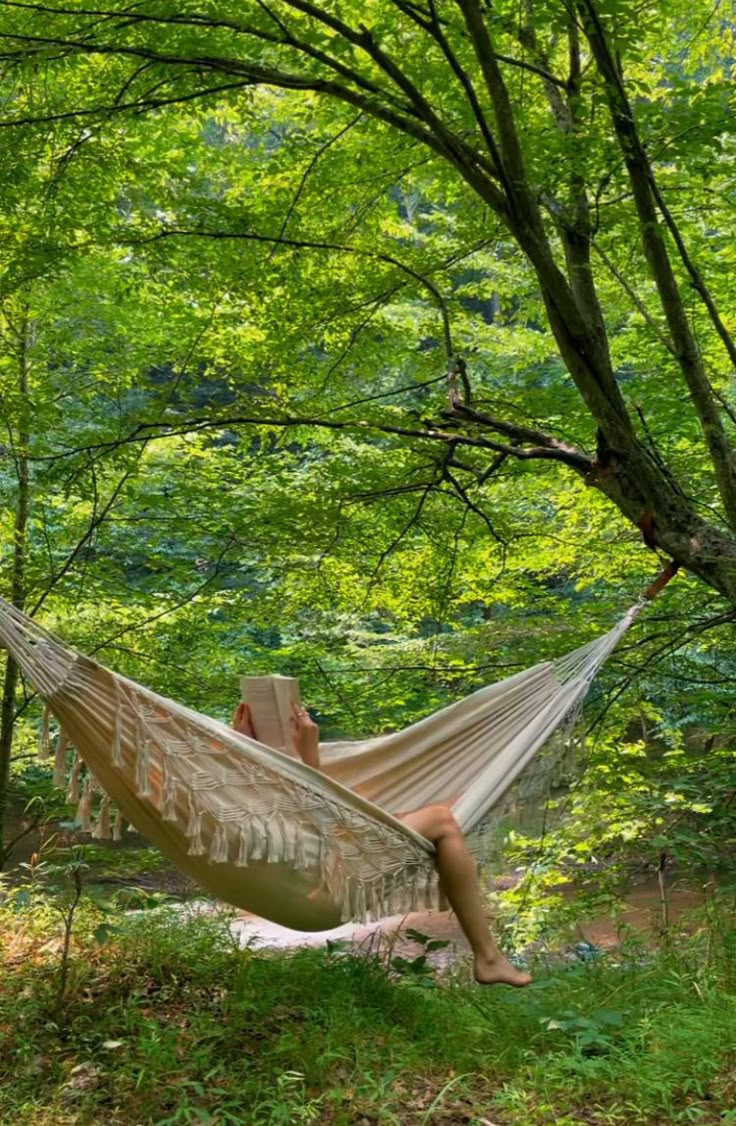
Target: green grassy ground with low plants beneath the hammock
[{"x": 169, "y": 1023}]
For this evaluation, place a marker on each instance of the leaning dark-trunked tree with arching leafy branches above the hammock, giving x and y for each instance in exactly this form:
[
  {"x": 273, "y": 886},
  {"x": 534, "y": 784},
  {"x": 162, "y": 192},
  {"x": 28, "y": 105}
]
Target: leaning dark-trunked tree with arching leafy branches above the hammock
[{"x": 563, "y": 127}]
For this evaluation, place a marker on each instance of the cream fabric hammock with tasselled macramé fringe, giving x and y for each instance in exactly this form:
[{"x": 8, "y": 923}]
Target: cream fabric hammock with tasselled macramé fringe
[{"x": 265, "y": 833}]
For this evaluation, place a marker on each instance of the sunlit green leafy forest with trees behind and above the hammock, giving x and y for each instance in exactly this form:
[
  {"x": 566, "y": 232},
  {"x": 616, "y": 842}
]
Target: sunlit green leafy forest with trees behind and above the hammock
[{"x": 381, "y": 346}]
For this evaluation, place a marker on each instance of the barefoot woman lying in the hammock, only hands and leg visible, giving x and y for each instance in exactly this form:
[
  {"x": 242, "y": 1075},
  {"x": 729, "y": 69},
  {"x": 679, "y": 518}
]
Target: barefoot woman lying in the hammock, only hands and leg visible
[{"x": 455, "y": 865}]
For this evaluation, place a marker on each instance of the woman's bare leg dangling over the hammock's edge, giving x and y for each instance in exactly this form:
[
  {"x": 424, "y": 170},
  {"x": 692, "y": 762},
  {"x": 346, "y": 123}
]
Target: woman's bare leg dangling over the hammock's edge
[{"x": 459, "y": 878}]
